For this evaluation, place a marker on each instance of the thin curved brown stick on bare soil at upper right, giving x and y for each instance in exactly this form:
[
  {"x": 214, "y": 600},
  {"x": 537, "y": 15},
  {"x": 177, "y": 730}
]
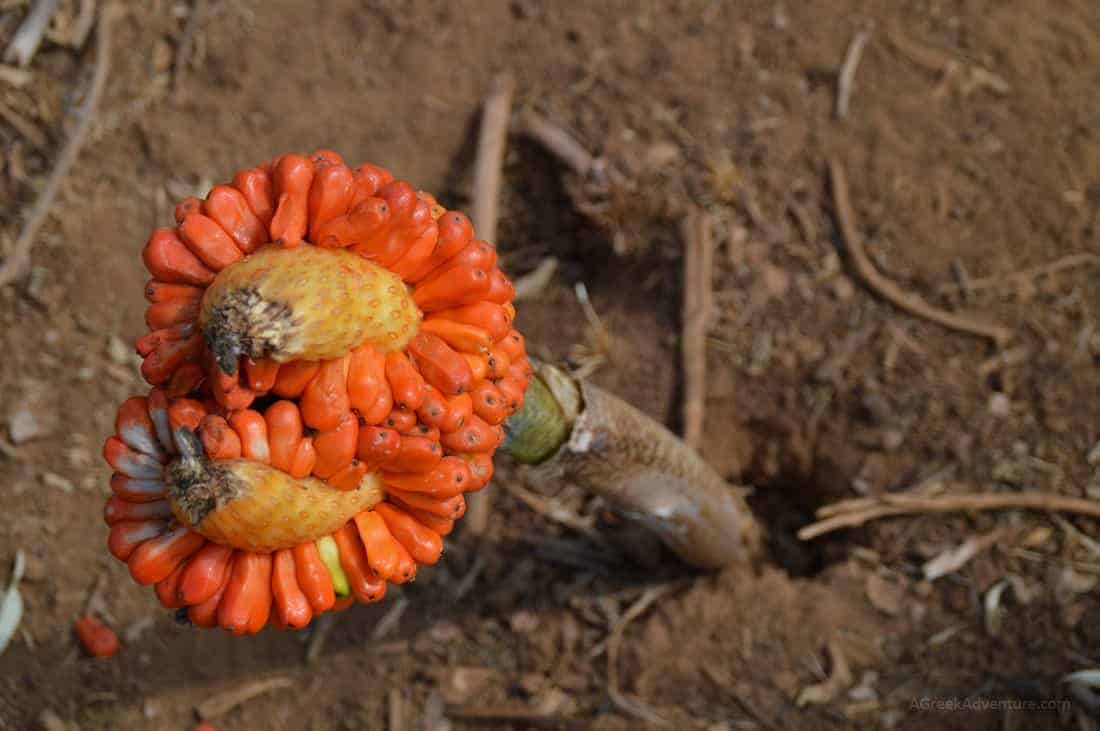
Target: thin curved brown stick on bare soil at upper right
[{"x": 887, "y": 290}]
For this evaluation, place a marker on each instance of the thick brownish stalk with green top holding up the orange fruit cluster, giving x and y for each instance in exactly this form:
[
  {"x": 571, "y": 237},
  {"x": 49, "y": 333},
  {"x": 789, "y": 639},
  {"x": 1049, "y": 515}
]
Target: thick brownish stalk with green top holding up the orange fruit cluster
[{"x": 578, "y": 433}]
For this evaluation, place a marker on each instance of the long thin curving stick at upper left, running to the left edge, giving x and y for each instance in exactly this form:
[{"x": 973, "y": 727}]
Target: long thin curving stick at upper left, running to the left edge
[{"x": 18, "y": 261}]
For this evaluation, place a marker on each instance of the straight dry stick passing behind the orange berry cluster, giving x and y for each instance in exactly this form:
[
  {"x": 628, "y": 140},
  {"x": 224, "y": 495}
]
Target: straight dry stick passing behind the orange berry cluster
[{"x": 494, "y": 130}]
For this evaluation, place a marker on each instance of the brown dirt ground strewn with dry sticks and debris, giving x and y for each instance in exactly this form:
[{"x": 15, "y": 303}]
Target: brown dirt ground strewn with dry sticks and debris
[{"x": 973, "y": 153}]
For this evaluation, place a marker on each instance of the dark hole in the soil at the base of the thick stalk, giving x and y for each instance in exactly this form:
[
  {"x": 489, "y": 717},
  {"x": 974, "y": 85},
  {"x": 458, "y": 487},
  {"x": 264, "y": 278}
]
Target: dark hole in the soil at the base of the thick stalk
[{"x": 787, "y": 503}]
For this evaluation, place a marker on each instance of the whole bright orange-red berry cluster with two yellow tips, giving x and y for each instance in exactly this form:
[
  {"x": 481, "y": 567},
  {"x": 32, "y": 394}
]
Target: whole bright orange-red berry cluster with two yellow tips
[{"x": 333, "y": 359}]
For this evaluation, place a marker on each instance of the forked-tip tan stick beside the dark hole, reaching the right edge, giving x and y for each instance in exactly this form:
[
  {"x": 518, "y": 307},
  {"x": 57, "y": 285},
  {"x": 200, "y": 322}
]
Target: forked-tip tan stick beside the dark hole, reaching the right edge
[{"x": 852, "y": 514}]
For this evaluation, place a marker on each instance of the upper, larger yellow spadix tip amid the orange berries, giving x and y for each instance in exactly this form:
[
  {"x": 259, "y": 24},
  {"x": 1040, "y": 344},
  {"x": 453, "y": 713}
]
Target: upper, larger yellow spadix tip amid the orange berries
[{"x": 305, "y": 304}]
